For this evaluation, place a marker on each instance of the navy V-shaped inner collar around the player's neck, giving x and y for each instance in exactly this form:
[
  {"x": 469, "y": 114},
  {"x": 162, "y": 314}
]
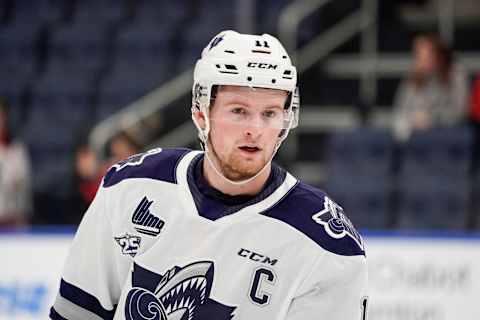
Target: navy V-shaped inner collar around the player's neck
[{"x": 213, "y": 204}]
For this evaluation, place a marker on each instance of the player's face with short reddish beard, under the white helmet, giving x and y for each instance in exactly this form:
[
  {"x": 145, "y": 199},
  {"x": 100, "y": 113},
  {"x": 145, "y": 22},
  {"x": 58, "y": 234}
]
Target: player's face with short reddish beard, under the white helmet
[{"x": 244, "y": 129}]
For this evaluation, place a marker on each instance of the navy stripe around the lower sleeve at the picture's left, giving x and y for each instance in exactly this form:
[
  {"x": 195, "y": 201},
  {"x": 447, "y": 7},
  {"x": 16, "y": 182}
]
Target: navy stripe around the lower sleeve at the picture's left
[{"x": 84, "y": 300}]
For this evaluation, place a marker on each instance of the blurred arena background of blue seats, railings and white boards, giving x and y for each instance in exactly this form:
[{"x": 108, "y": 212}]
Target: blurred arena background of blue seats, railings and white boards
[{"x": 89, "y": 82}]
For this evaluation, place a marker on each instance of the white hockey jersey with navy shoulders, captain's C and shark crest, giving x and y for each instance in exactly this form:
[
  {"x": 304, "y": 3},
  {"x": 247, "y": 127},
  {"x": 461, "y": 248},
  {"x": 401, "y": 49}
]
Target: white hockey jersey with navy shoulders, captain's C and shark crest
[{"x": 144, "y": 250}]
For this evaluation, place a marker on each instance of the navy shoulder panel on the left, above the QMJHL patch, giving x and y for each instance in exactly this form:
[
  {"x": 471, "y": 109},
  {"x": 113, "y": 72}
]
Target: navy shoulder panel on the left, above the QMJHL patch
[{"x": 158, "y": 164}]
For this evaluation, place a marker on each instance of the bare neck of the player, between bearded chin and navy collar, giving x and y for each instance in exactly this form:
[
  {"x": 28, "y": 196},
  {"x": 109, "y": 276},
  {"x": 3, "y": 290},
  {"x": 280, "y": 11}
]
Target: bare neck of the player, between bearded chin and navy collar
[{"x": 221, "y": 184}]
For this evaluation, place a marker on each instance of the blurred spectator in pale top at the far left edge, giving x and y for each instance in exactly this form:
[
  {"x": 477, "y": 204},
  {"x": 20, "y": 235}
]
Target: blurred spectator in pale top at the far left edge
[{"x": 15, "y": 193}]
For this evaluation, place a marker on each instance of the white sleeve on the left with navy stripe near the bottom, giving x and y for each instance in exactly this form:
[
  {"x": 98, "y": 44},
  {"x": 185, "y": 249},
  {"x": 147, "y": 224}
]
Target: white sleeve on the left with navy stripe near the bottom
[{"x": 90, "y": 283}]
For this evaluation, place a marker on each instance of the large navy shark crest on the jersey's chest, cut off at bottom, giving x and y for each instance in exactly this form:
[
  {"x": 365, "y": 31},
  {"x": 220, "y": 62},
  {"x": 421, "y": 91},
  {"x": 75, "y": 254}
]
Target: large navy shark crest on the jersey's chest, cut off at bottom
[{"x": 179, "y": 294}]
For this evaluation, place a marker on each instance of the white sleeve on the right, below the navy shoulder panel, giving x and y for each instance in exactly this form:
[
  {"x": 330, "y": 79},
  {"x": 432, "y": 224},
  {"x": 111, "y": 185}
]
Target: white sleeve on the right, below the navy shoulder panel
[{"x": 335, "y": 289}]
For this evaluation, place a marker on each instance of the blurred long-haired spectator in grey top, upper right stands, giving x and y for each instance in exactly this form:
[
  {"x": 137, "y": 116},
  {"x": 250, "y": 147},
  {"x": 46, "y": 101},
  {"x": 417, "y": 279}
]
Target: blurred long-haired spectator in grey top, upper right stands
[{"x": 434, "y": 94}]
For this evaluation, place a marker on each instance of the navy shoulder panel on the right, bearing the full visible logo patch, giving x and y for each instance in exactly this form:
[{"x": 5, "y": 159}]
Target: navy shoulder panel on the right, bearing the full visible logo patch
[{"x": 312, "y": 212}]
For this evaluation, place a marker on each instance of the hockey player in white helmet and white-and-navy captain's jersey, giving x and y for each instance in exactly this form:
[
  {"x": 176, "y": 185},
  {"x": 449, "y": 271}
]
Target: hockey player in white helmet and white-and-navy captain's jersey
[{"x": 223, "y": 233}]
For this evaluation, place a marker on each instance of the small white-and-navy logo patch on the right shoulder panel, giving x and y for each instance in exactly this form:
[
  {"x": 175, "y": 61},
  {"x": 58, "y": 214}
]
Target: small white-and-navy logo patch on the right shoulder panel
[{"x": 336, "y": 223}]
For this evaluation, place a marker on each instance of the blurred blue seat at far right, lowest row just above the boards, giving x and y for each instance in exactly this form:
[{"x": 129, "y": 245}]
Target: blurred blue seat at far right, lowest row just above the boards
[{"x": 432, "y": 205}]
